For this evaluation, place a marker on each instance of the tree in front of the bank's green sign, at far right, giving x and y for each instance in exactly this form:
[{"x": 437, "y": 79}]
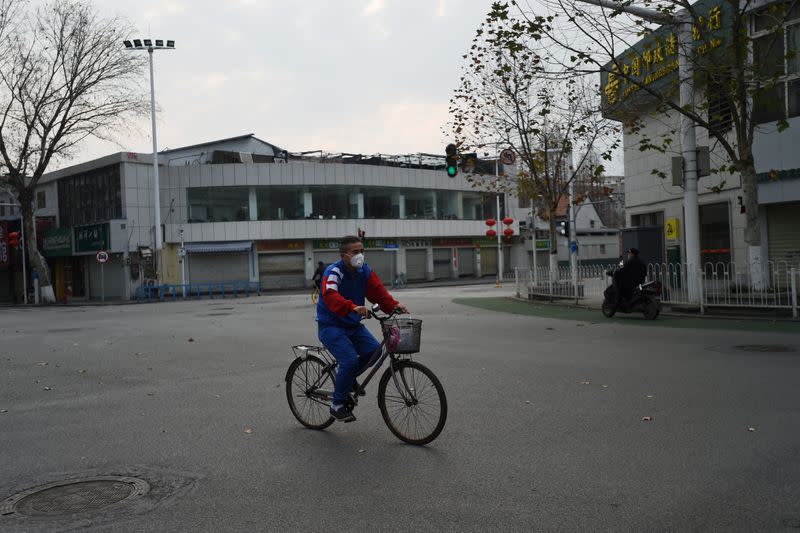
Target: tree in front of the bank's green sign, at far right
[{"x": 741, "y": 74}]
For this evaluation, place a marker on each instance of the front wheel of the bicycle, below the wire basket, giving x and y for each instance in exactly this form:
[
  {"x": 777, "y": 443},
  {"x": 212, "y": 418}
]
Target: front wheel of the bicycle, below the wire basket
[{"x": 417, "y": 410}]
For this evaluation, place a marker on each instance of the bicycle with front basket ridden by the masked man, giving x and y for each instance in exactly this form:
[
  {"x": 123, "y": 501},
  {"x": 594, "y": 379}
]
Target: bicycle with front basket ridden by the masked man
[{"x": 410, "y": 396}]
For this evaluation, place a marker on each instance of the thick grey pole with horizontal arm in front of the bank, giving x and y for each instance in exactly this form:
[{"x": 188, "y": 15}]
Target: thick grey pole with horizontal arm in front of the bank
[{"x": 683, "y": 20}]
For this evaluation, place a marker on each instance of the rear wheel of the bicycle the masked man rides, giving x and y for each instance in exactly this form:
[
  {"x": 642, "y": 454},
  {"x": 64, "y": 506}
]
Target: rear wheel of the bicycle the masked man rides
[{"x": 306, "y": 380}]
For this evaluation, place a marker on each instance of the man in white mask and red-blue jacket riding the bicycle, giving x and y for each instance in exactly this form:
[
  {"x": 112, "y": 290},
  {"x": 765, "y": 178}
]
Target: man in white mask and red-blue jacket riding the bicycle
[{"x": 340, "y": 310}]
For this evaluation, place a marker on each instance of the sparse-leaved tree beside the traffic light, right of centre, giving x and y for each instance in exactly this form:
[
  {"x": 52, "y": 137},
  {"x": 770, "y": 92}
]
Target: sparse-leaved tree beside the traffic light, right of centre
[{"x": 508, "y": 98}]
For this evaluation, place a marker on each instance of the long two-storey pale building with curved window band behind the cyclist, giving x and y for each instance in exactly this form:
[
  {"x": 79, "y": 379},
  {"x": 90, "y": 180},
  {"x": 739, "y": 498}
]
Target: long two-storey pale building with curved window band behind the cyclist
[{"x": 249, "y": 211}]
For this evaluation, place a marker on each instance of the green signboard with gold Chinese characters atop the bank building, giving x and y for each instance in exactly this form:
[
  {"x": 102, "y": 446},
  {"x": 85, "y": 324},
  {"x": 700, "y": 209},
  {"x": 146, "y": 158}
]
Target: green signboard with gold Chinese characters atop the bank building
[{"x": 653, "y": 61}]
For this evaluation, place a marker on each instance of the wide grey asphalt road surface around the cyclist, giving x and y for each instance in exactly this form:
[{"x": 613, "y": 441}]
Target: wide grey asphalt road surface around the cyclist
[{"x": 545, "y": 429}]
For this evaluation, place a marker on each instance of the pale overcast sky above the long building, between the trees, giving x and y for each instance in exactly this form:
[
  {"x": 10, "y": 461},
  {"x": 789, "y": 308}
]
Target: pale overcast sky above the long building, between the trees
[{"x": 359, "y": 76}]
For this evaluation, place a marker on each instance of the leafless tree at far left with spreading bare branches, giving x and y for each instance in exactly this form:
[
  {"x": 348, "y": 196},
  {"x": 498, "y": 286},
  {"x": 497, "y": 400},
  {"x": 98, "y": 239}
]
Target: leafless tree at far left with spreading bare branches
[{"x": 64, "y": 77}]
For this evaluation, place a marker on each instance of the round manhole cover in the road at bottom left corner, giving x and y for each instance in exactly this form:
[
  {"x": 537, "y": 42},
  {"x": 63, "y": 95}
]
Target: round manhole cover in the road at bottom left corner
[{"x": 71, "y": 497}]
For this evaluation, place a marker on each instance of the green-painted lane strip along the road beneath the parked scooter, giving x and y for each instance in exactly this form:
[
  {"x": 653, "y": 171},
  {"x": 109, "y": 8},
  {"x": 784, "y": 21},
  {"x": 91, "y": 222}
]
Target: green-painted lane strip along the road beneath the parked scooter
[{"x": 518, "y": 307}]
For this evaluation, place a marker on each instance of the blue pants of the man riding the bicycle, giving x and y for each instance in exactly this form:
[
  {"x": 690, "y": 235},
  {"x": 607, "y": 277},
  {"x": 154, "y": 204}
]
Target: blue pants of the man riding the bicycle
[{"x": 352, "y": 348}]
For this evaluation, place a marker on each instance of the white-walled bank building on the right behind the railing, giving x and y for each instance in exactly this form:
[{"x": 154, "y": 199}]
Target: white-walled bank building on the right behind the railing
[{"x": 651, "y": 200}]
